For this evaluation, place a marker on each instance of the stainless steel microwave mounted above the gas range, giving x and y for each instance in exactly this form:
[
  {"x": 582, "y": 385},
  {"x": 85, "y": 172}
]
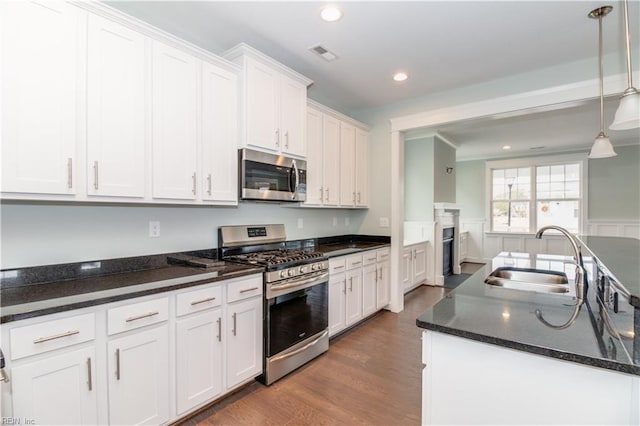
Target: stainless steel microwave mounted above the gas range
[{"x": 269, "y": 177}]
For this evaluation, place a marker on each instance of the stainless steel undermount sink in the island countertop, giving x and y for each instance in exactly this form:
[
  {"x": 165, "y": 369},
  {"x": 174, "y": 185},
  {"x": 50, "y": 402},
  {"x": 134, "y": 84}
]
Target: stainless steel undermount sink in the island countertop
[{"x": 528, "y": 279}]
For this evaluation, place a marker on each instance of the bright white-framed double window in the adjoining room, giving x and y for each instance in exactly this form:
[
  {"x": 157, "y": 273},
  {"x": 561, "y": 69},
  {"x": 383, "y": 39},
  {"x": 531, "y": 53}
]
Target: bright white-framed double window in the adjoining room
[{"x": 529, "y": 196}]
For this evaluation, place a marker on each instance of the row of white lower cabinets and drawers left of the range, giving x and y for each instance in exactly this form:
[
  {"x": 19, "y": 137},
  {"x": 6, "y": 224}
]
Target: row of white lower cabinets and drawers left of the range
[{"x": 113, "y": 364}]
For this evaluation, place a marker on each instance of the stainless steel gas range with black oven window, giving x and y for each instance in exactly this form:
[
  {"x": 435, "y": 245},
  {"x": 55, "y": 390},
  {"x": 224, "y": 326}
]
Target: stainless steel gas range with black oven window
[{"x": 296, "y": 295}]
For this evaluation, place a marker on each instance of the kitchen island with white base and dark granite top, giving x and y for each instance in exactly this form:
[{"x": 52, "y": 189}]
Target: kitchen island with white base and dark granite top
[{"x": 485, "y": 350}]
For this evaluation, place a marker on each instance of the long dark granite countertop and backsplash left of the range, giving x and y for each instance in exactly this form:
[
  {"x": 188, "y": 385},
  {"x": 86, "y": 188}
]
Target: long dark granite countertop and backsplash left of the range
[{"x": 32, "y": 292}]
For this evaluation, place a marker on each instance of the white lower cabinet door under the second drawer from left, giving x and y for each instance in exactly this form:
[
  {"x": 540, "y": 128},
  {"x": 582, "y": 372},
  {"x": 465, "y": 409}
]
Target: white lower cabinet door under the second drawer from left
[{"x": 138, "y": 377}]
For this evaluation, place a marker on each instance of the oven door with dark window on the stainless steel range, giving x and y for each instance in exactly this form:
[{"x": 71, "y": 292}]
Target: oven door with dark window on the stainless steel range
[{"x": 295, "y": 314}]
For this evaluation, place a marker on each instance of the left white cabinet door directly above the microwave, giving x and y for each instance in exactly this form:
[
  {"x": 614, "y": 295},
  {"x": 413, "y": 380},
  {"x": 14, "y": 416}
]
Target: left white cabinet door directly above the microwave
[{"x": 262, "y": 106}]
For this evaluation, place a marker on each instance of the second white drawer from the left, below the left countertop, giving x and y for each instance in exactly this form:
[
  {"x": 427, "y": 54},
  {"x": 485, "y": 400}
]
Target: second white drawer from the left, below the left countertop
[{"x": 136, "y": 315}]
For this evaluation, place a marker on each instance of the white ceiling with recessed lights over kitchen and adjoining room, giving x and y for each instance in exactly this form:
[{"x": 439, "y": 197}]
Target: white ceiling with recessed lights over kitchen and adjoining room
[{"x": 443, "y": 45}]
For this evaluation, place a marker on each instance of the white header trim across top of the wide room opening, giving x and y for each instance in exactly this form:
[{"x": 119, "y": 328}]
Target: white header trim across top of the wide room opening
[{"x": 556, "y": 97}]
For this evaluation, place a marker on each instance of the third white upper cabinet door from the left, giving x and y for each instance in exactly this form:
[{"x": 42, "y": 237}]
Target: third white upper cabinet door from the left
[{"x": 175, "y": 98}]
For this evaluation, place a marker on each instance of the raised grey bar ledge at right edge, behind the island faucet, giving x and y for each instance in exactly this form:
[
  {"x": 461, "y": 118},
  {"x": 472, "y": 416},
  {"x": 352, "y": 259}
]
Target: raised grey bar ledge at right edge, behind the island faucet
[{"x": 621, "y": 257}]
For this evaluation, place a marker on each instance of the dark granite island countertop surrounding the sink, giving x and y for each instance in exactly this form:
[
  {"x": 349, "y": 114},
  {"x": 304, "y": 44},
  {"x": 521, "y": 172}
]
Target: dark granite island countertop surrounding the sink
[{"x": 505, "y": 317}]
